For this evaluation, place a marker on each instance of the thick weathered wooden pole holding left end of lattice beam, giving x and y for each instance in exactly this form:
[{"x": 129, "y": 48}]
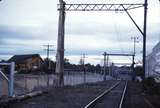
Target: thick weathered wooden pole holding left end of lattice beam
[{"x": 60, "y": 44}]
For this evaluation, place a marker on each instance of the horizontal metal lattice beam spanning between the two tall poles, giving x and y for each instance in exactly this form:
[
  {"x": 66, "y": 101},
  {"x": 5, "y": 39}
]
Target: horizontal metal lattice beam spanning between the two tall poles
[{"x": 100, "y": 7}]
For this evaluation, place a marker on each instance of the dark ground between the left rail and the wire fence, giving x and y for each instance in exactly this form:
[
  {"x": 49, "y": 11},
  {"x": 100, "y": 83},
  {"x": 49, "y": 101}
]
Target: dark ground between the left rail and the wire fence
[{"x": 65, "y": 97}]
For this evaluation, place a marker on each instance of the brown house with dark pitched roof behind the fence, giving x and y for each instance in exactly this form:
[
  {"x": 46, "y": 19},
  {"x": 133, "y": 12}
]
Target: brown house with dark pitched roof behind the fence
[{"x": 27, "y": 62}]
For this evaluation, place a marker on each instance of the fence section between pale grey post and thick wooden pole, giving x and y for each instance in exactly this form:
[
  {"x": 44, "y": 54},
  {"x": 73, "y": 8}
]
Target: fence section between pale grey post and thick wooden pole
[{"x": 28, "y": 83}]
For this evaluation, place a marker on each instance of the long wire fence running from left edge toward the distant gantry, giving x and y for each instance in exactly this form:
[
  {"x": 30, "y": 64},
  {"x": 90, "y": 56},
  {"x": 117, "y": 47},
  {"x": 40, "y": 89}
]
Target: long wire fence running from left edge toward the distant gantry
[{"x": 27, "y": 83}]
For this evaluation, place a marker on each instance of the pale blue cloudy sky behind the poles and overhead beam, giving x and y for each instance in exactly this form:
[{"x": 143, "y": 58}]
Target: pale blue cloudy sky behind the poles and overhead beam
[{"x": 27, "y": 25}]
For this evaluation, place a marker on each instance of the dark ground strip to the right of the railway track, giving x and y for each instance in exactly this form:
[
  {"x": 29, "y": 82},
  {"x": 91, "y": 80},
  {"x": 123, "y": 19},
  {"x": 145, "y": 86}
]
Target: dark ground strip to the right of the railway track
[{"x": 137, "y": 98}]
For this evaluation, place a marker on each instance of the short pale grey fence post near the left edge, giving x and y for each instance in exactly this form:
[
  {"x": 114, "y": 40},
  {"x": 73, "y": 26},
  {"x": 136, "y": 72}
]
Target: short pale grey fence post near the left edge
[{"x": 11, "y": 81}]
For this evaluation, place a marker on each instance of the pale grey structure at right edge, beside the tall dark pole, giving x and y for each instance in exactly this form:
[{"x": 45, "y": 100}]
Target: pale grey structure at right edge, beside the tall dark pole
[{"x": 153, "y": 62}]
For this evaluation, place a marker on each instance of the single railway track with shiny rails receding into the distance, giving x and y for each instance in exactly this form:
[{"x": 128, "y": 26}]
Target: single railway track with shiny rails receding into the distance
[{"x": 110, "y": 98}]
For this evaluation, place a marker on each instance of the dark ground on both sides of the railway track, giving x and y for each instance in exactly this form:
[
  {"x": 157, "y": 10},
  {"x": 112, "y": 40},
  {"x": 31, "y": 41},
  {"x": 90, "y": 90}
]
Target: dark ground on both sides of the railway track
[{"x": 80, "y": 95}]
